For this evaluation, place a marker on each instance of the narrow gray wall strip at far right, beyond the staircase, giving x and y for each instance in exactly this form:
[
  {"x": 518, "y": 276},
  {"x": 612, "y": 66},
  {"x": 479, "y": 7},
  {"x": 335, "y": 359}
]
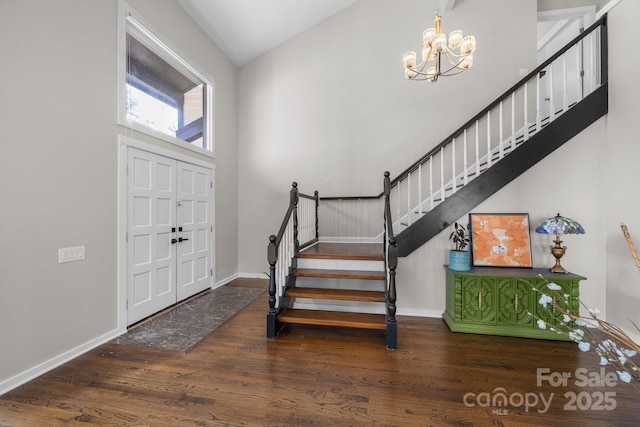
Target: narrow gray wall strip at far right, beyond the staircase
[{"x": 618, "y": 153}]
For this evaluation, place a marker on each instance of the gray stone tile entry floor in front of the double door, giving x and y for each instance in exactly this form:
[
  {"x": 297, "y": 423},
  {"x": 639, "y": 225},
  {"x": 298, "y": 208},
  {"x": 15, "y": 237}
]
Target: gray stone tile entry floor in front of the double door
[{"x": 183, "y": 326}]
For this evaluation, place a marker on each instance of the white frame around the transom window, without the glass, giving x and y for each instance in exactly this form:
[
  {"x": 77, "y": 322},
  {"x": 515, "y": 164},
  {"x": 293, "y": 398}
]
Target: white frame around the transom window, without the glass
[{"x": 130, "y": 21}]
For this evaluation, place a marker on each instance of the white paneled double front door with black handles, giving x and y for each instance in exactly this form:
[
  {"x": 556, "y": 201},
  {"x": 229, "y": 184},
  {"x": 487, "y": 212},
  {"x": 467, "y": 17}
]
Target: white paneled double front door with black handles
[{"x": 169, "y": 237}]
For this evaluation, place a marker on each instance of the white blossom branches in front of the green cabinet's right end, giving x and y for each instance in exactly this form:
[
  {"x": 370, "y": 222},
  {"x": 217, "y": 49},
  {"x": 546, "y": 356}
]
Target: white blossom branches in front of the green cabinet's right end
[{"x": 614, "y": 346}]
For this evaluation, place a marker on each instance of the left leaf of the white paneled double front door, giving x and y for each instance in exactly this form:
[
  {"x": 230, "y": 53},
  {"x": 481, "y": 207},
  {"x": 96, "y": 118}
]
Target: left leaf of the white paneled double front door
[{"x": 151, "y": 256}]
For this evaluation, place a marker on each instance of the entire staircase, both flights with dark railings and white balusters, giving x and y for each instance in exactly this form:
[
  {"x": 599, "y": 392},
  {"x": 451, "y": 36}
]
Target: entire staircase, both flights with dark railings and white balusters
[{"x": 313, "y": 282}]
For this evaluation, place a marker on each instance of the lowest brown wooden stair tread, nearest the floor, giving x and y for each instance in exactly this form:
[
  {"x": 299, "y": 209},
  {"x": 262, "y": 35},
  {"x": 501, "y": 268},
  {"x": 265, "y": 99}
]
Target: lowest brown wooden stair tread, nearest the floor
[{"x": 334, "y": 318}]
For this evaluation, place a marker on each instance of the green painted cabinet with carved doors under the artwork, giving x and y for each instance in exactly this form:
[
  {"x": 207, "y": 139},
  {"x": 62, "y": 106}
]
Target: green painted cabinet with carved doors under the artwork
[{"x": 497, "y": 301}]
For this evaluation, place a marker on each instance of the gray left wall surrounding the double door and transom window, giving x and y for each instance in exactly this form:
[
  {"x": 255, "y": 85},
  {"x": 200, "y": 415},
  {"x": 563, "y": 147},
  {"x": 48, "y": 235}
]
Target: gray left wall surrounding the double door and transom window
[{"x": 59, "y": 170}]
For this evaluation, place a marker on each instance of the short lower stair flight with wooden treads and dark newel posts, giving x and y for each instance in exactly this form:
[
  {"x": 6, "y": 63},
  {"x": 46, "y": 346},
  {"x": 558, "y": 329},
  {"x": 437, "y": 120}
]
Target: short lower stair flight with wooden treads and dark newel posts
[{"x": 331, "y": 284}]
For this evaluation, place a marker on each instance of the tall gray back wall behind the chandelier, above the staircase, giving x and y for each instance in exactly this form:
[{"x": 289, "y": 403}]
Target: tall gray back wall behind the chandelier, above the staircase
[{"x": 331, "y": 109}]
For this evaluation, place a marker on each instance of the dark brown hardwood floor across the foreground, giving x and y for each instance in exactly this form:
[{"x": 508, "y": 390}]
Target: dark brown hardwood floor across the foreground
[{"x": 322, "y": 376}]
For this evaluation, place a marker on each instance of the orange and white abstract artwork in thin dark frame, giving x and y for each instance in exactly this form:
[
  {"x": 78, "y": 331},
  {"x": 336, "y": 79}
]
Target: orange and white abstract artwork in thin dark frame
[{"x": 500, "y": 240}]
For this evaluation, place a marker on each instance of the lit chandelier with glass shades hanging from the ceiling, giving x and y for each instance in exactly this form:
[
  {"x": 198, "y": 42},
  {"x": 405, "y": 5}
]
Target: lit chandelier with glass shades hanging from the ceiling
[{"x": 458, "y": 52}]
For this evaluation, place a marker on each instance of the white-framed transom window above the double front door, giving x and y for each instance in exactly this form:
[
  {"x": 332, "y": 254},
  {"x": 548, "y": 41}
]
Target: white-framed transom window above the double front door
[{"x": 162, "y": 94}]
